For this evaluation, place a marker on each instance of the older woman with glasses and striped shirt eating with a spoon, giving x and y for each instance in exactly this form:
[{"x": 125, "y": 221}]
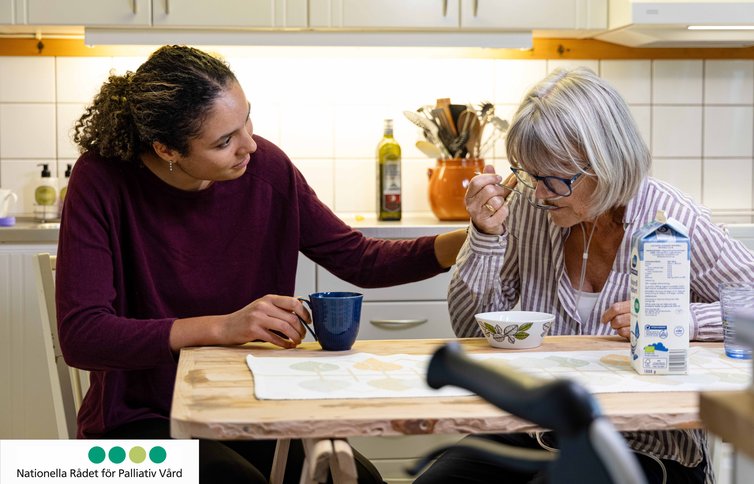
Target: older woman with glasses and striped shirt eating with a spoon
[{"x": 557, "y": 239}]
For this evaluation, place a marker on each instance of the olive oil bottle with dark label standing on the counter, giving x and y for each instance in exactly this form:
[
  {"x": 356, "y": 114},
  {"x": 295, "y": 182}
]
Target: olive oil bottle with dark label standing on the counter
[{"x": 388, "y": 175}]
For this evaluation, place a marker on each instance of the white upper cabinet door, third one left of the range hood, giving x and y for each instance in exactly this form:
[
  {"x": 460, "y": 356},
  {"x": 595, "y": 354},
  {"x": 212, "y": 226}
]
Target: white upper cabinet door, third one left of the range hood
[{"x": 230, "y": 13}]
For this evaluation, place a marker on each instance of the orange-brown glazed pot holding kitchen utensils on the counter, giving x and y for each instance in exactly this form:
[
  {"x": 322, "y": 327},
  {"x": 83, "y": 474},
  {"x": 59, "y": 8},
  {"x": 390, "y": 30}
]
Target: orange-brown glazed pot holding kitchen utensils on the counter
[{"x": 447, "y": 186}]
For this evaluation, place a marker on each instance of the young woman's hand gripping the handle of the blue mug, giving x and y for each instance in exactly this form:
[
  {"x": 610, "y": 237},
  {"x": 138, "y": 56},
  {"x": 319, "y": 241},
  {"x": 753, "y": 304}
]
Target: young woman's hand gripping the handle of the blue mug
[{"x": 271, "y": 318}]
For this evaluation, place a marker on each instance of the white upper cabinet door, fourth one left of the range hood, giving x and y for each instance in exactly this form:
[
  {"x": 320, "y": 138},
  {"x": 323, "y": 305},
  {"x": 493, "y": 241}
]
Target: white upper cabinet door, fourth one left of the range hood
[{"x": 88, "y": 12}]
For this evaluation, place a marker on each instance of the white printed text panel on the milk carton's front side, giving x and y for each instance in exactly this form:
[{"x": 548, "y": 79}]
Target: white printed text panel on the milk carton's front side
[{"x": 665, "y": 279}]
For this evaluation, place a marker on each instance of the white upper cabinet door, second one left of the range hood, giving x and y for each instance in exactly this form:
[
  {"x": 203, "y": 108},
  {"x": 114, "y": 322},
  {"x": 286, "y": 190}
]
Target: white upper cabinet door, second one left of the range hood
[{"x": 384, "y": 14}]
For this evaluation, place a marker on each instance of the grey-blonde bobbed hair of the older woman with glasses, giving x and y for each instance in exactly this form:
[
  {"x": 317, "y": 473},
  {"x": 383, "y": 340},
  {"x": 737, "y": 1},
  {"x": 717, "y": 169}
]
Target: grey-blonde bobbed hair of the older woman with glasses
[{"x": 574, "y": 122}]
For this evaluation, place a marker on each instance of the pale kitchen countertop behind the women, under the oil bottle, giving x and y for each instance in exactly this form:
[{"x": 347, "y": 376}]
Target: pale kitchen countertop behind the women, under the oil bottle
[{"x": 27, "y": 230}]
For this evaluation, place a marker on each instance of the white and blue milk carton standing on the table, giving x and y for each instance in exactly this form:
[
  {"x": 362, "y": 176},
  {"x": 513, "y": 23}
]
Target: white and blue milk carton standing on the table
[{"x": 660, "y": 315}]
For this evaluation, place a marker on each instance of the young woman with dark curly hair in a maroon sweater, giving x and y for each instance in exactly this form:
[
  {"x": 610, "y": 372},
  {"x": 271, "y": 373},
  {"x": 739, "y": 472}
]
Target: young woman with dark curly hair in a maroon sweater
[{"x": 182, "y": 227}]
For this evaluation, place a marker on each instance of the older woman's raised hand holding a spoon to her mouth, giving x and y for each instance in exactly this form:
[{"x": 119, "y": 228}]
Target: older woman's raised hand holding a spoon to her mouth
[{"x": 485, "y": 201}]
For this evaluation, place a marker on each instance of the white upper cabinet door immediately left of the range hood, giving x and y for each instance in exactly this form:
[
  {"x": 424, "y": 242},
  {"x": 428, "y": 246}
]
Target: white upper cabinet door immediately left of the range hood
[{"x": 533, "y": 14}]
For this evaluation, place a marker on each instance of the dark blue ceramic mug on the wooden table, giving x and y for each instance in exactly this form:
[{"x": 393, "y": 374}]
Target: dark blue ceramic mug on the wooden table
[{"x": 336, "y": 317}]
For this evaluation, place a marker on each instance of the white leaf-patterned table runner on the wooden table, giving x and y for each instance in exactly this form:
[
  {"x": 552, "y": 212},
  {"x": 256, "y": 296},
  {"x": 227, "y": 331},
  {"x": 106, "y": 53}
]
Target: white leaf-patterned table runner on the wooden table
[{"x": 365, "y": 375}]
